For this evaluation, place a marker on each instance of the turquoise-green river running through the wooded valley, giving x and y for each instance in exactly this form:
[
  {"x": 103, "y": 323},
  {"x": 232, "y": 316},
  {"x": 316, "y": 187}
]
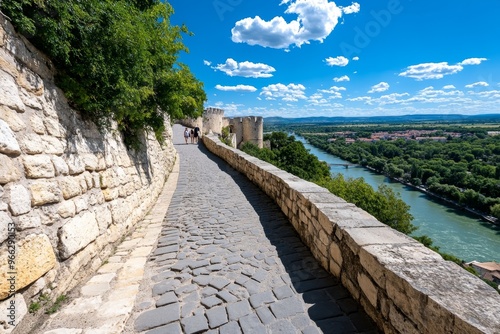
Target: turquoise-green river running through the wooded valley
[{"x": 453, "y": 230}]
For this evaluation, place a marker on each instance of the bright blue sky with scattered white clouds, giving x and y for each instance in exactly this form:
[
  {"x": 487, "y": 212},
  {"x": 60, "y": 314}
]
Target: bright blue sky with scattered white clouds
[{"x": 299, "y": 58}]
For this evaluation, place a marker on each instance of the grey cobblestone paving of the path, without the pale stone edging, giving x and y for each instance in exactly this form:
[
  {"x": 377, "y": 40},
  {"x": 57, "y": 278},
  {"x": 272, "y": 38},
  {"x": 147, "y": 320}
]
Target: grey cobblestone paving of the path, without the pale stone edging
[{"x": 228, "y": 261}]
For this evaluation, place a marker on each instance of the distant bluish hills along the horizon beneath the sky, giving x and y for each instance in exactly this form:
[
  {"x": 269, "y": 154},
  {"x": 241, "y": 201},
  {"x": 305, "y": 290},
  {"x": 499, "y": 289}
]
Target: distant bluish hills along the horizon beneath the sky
[{"x": 384, "y": 119}]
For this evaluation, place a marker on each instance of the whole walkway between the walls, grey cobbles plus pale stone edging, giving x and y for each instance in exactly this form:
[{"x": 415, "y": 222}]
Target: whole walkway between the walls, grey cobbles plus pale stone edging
[{"x": 222, "y": 259}]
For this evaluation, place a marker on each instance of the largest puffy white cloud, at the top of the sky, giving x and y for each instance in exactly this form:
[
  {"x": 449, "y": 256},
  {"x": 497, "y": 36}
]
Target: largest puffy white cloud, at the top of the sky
[{"x": 316, "y": 19}]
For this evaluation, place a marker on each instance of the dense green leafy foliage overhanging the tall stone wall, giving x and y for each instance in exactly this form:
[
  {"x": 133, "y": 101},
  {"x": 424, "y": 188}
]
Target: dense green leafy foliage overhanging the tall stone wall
[{"x": 115, "y": 59}]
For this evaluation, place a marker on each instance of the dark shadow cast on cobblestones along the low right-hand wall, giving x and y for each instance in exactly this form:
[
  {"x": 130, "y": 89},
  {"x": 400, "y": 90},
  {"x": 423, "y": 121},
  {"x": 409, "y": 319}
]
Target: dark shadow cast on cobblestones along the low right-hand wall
[{"x": 331, "y": 306}]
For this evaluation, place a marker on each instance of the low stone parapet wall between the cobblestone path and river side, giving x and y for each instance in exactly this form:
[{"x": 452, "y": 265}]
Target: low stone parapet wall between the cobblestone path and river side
[{"x": 404, "y": 286}]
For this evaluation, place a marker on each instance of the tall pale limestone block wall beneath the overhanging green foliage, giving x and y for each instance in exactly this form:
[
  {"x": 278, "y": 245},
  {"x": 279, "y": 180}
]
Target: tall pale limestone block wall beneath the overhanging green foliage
[{"x": 67, "y": 191}]
